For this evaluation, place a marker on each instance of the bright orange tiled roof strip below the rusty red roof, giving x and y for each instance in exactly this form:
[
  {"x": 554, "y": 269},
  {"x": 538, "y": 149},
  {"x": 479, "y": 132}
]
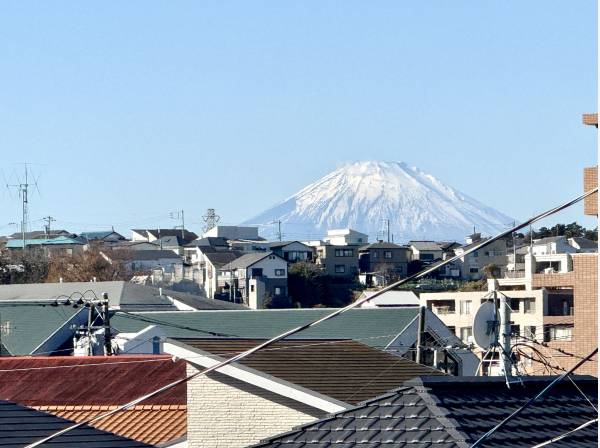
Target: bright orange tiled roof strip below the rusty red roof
[{"x": 152, "y": 424}]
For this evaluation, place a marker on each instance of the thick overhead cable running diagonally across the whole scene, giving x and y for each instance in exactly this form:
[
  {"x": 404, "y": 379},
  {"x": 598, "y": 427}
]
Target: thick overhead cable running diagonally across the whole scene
[{"x": 331, "y": 315}]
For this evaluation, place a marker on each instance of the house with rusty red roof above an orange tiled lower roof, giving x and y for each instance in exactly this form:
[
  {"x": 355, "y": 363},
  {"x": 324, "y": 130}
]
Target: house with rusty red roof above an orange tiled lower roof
[{"x": 77, "y": 388}]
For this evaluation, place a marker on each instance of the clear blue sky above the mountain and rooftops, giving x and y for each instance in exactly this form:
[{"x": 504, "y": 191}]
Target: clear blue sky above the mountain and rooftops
[{"x": 129, "y": 110}]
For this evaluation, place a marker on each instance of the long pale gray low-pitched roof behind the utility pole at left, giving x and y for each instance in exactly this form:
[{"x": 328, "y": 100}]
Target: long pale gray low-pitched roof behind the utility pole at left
[{"x": 120, "y": 293}]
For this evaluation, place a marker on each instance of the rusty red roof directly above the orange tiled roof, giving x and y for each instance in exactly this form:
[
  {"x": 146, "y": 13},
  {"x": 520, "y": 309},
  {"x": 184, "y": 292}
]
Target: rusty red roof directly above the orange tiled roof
[{"x": 90, "y": 380}]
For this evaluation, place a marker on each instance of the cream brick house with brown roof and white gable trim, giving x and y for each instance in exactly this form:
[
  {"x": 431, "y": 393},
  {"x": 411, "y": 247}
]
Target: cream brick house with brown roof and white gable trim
[{"x": 274, "y": 390}]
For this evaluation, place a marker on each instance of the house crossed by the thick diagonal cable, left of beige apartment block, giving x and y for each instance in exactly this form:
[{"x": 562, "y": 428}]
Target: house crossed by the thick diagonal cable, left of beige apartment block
[{"x": 473, "y": 265}]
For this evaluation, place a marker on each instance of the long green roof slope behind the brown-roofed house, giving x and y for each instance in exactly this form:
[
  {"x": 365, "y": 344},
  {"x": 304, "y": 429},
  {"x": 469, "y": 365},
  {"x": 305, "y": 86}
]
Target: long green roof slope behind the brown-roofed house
[{"x": 373, "y": 326}]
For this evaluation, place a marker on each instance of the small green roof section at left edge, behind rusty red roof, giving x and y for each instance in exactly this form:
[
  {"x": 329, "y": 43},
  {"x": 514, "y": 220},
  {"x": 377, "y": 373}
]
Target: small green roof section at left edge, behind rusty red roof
[{"x": 25, "y": 326}]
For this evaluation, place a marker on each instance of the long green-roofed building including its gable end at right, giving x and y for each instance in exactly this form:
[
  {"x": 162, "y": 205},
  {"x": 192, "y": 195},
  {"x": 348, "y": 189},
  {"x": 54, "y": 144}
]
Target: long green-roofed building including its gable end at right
[{"x": 393, "y": 329}]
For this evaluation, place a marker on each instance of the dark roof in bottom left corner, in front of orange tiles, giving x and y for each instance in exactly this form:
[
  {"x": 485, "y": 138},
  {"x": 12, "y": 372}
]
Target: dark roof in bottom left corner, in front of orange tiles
[{"x": 20, "y": 426}]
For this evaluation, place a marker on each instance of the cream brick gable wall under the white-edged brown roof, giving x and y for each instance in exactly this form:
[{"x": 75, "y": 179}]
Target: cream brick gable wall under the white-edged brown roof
[{"x": 226, "y": 413}]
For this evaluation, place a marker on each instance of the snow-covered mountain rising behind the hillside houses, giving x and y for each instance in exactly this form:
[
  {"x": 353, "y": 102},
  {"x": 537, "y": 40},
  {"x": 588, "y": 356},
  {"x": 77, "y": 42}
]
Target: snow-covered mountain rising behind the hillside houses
[{"x": 362, "y": 194}]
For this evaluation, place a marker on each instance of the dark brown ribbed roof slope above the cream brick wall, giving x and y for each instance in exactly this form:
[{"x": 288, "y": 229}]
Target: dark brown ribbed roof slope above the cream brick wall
[{"x": 344, "y": 369}]
